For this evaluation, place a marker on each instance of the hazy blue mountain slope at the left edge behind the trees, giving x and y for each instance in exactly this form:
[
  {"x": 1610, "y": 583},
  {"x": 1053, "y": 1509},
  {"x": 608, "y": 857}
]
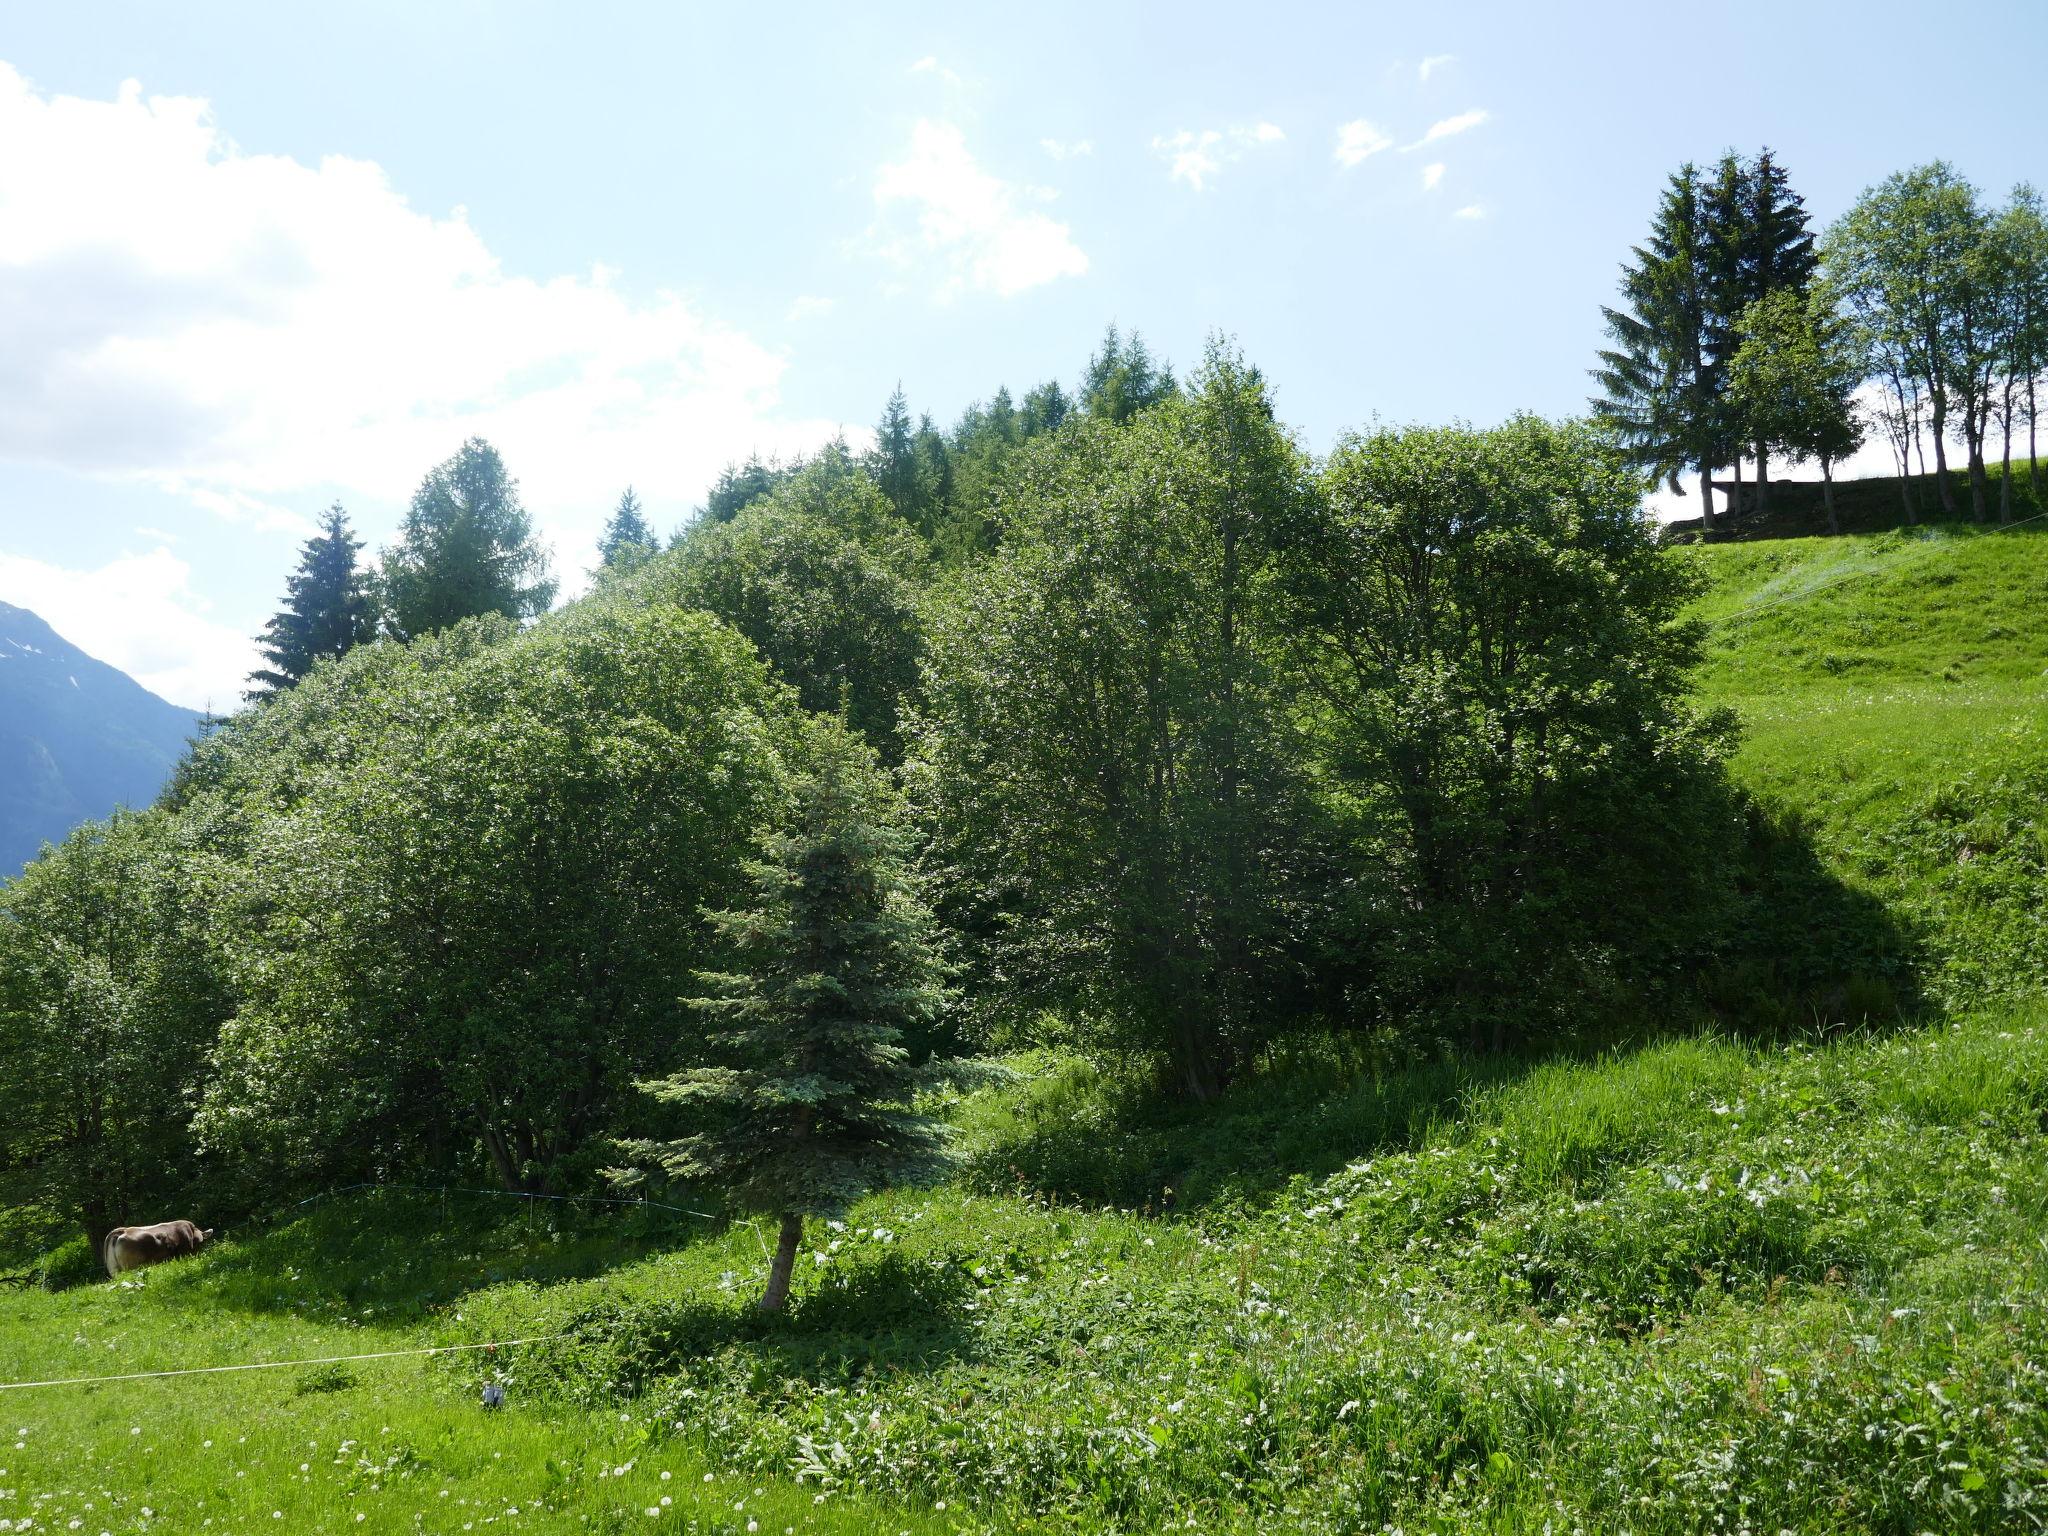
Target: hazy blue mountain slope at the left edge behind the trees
[{"x": 77, "y": 738}]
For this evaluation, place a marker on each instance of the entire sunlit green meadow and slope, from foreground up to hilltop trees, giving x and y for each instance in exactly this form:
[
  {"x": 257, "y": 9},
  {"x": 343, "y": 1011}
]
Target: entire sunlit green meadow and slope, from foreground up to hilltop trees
[{"x": 1699, "y": 1285}]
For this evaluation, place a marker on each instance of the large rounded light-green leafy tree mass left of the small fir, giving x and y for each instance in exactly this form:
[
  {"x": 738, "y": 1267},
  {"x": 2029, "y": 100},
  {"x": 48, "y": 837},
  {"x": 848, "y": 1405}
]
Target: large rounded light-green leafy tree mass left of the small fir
[{"x": 470, "y": 919}]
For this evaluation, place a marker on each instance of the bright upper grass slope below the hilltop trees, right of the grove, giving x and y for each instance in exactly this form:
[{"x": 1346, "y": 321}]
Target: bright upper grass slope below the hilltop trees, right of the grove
[{"x": 1893, "y": 693}]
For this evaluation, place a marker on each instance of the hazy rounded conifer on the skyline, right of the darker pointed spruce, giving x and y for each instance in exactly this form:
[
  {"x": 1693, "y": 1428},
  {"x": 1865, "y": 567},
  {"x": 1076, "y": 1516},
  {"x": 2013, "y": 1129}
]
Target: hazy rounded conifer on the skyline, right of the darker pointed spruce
[{"x": 466, "y": 548}]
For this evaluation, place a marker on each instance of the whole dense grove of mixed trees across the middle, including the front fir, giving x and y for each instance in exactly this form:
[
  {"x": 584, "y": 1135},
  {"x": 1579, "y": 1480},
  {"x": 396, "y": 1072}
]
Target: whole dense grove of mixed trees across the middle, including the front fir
[{"x": 1113, "y": 722}]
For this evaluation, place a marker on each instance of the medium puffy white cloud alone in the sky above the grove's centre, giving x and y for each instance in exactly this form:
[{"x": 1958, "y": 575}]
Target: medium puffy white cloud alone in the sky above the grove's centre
[{"x": 974, "y": 226}]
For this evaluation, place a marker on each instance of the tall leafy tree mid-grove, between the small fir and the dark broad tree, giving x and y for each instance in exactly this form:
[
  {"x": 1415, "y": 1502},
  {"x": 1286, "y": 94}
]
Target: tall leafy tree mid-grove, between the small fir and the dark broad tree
[{"x": 1111, "y": 761}]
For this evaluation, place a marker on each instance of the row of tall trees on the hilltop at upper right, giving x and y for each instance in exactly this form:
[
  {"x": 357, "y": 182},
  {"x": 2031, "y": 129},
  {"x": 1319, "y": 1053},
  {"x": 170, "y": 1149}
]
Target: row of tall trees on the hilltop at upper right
[{"x": 1744, "y": 335}]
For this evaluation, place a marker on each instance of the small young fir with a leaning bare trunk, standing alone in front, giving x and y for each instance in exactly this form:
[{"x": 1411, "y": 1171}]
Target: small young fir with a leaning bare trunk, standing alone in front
[{"x": 804, "y": 1097}]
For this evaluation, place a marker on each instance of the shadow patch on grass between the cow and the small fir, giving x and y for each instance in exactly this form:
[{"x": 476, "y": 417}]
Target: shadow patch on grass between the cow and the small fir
[{"x": 396, "y": 1256}]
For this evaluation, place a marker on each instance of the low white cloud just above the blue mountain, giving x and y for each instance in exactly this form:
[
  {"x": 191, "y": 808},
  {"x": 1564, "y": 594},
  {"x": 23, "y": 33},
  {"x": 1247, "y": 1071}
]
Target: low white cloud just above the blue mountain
[{"x": 140, "y": 613}]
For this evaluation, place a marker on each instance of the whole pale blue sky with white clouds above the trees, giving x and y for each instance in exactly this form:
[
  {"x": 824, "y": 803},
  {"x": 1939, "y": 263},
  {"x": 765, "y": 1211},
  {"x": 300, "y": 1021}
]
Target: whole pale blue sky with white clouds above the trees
[{"x": 257, "y": 259}]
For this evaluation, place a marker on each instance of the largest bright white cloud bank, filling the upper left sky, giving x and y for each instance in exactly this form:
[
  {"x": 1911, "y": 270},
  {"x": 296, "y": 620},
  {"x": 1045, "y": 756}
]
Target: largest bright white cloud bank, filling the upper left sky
[{"x": 251, "y": 333}]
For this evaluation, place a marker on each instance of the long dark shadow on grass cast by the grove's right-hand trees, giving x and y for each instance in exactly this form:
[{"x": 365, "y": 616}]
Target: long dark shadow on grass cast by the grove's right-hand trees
[{"x": 1789, "y": 953}]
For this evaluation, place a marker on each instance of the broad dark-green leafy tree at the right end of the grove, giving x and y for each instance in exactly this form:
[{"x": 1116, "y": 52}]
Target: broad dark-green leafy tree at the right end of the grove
[{"x": 1531, "y": 812}]
